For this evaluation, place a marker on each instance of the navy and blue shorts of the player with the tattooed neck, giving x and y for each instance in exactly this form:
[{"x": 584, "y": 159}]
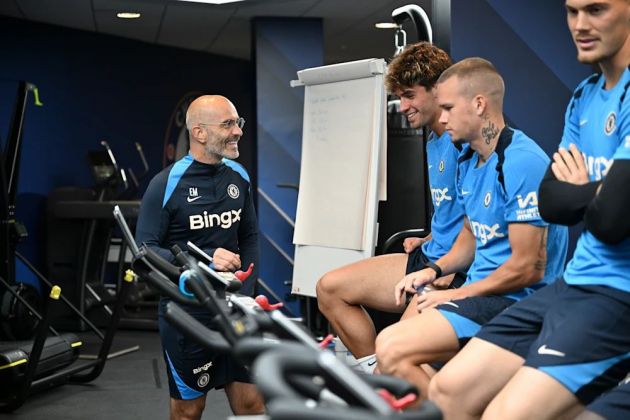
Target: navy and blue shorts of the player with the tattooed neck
[{"x": 467, "y": 315}]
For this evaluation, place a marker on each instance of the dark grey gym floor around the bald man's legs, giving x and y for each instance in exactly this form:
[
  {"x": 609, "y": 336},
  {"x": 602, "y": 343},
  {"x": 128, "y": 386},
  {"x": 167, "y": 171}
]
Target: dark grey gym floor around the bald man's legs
[{"x": 133, "y": 386}]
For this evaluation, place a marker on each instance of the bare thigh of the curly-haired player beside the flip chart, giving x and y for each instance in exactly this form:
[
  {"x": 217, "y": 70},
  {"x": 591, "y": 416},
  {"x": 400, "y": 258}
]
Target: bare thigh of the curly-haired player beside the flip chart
[{"x": 369, "y": 282}]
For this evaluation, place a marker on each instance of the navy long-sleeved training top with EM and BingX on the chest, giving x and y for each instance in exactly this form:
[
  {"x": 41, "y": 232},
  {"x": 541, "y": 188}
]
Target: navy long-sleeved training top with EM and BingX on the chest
[{"x": 210, "y": 205}]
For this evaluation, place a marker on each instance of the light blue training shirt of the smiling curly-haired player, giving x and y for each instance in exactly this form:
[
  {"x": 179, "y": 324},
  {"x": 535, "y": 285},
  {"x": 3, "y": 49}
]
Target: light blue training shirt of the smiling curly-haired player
[{"x": 448, "y": 212}]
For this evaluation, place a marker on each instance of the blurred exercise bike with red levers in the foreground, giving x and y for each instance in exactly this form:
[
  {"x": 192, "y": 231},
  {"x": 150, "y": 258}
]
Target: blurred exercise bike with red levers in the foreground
[{"x": 295, "y": 375}]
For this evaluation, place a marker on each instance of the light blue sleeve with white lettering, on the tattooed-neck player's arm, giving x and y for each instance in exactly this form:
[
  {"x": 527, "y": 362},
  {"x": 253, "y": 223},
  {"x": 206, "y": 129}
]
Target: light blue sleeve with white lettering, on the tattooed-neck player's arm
[{"x": 523, "y": 173}]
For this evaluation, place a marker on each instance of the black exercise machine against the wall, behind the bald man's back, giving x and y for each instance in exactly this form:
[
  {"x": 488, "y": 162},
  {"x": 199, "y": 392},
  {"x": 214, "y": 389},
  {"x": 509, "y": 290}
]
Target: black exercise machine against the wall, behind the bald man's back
[{"x": 93, "y": 258}]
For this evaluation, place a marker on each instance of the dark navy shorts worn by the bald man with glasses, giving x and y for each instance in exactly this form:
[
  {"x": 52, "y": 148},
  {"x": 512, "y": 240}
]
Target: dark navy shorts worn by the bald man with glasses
[{"x": 192, "y": 369}]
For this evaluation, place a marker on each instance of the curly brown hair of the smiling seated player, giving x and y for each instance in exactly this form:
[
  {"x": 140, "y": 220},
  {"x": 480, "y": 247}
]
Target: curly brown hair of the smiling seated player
[{"x": 418, "y": 64}]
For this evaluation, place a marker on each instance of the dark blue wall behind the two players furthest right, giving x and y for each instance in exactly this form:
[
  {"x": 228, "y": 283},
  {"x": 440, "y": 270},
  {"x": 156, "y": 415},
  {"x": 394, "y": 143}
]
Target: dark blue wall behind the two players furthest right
[{"x": 530, "y": 44}]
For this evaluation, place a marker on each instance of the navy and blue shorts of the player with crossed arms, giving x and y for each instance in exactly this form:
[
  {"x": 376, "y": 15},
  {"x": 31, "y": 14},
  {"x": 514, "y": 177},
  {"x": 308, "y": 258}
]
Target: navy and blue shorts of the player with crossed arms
[{"x": 576, "y": 334}]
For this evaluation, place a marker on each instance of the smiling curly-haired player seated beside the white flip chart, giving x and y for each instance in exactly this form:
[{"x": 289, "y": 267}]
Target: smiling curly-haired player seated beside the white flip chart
[{"x": 343, "y": 293}]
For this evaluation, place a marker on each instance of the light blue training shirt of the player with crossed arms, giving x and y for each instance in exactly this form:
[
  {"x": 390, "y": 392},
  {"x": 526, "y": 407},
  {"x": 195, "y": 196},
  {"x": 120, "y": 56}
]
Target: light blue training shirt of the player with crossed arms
[{"x": 597, "y": 121}]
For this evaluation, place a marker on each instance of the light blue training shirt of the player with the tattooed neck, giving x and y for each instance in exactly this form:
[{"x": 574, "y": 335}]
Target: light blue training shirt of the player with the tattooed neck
[{"x": 504, "y": 190}]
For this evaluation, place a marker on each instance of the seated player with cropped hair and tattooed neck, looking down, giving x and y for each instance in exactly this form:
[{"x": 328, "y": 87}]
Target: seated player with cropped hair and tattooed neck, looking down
[{"x": 512, "y": 251}]
